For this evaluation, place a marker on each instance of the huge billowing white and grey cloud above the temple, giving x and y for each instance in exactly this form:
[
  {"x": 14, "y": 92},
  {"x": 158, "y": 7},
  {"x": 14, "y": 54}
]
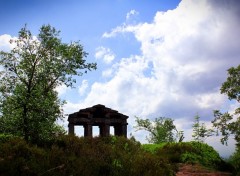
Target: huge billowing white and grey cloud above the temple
[{"x": 185, "y": 53}]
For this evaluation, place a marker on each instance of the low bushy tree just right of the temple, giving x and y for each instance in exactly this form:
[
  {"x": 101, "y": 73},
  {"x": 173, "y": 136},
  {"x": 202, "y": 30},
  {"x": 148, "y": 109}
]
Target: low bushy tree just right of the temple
[{"x": 161, "y": 130}]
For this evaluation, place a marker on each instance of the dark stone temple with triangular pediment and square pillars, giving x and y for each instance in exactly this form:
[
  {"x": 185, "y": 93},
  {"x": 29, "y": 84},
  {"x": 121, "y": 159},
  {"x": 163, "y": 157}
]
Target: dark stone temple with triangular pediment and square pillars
[{"x": 101, "y": 116}]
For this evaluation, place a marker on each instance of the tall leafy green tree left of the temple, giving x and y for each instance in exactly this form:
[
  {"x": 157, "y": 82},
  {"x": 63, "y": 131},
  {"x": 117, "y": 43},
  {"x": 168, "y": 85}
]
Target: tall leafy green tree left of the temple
[{"x": 30, "y": 73}]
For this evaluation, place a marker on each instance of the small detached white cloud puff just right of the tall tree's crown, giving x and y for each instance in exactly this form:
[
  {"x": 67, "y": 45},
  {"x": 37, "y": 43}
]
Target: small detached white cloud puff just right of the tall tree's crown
[{"x": 105, "y": 54}]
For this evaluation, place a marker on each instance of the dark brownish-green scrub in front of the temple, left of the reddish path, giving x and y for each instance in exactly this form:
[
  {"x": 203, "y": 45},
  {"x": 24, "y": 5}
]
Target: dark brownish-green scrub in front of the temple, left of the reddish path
[{"x": 70, "y": 155}]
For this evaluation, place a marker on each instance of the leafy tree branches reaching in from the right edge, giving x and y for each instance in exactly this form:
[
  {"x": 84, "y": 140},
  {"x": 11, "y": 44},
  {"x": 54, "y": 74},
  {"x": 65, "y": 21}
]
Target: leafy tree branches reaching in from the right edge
[{"x": 227, "y": 123}]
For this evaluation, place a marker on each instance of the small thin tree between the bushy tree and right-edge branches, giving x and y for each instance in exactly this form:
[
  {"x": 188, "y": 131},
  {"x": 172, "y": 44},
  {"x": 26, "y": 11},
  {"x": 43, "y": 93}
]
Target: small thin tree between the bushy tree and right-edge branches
[{"x": 200, "y": 131}]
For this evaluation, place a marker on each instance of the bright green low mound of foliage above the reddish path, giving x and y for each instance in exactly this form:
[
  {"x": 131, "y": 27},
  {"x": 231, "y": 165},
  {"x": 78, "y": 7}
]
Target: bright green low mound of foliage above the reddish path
[{"x": 189, "y": 152}]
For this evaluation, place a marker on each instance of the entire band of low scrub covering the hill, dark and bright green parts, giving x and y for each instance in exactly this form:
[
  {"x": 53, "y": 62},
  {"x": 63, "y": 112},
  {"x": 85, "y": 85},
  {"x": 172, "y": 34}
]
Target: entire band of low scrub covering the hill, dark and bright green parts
[{"x": 71, "y": 155}]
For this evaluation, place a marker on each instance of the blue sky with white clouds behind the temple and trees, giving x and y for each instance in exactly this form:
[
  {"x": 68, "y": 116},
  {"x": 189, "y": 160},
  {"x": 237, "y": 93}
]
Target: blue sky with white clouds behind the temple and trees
[{"x": 155, "y": 58}]
